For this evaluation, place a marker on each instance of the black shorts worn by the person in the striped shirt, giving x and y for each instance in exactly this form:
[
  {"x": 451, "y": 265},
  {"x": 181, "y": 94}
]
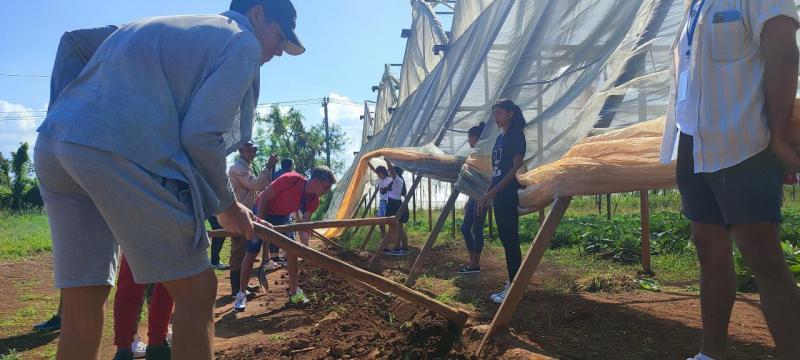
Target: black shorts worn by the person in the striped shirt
[{"x": 746, "y": 193}]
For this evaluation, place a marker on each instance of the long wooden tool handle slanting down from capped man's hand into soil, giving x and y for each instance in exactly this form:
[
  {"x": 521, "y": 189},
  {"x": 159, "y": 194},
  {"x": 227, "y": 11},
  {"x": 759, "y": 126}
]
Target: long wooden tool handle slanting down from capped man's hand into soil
[{"x": 457, "y": 316}]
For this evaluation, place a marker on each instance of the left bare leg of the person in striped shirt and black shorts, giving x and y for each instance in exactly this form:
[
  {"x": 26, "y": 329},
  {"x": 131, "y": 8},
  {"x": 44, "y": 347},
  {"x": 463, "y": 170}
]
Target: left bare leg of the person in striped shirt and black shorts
[{"x": 717, "y": 286}]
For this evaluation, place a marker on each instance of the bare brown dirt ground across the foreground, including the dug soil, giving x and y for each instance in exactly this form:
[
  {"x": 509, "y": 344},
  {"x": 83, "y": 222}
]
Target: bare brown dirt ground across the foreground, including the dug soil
[{"x": 345, "y": 322}]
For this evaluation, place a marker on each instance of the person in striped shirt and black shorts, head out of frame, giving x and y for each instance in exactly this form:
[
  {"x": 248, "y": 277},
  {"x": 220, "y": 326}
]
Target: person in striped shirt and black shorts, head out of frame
[{"x": 734, "y": 79}]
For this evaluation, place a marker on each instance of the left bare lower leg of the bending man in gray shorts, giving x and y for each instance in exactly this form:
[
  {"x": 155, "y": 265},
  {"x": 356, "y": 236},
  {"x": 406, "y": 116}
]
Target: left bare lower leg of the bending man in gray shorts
[{"x": 82, "y": 322}]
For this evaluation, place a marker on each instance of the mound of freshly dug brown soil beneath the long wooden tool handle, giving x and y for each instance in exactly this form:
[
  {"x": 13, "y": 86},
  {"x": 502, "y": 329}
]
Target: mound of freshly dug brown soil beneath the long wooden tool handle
[{"x": 349, "y": 322}]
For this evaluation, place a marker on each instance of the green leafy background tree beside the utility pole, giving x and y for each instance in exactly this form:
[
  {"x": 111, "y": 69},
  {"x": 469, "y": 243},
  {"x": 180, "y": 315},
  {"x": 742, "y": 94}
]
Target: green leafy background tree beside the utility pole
[{"x": 286, "y": 136}]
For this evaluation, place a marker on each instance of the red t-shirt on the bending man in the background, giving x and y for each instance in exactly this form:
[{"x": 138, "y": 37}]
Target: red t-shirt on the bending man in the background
[{"x": 290, "y": 195}]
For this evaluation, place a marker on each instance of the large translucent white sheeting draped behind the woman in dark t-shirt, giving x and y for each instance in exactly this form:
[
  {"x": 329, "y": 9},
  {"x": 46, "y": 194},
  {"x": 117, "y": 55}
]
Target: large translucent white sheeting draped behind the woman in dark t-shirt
[{"x": 572, "y": 66}]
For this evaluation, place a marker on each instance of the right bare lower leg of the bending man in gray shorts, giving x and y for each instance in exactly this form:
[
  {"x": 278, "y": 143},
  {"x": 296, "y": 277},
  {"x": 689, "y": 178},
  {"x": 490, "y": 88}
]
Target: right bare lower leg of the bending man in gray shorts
[{"x": 193, "y": 320}]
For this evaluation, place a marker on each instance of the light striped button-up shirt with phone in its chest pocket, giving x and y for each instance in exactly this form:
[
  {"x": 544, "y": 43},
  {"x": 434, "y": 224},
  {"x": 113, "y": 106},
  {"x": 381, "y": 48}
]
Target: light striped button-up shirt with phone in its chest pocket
[{"x": 725, "y": 83}]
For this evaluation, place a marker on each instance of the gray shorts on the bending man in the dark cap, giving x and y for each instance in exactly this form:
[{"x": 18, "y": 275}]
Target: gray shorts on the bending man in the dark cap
[{"x": 97, "y": 202}]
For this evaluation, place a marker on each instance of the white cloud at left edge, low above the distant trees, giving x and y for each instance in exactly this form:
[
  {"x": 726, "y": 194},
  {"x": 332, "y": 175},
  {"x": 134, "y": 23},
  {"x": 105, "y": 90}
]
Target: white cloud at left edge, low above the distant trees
[{"x": 18, "y": 124}]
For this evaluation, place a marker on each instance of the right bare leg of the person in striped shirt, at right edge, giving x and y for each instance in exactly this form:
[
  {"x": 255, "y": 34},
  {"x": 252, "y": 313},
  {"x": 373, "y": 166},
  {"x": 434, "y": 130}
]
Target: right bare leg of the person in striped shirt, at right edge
[{"x": 780, "y": 297}]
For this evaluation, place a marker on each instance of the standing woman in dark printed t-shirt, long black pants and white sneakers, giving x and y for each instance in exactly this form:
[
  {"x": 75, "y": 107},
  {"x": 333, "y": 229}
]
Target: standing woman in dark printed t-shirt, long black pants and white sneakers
[{"x": 507, "y": 156}]
